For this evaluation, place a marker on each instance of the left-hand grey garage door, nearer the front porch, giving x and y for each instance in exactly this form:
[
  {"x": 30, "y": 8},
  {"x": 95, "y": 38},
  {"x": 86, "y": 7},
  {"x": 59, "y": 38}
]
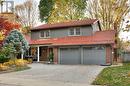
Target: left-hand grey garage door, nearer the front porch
[{"x": 69, "y": 56}]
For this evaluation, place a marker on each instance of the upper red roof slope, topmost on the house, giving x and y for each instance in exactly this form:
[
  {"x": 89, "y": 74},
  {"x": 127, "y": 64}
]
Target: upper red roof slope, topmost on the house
[{"x": 66, "y": 24}]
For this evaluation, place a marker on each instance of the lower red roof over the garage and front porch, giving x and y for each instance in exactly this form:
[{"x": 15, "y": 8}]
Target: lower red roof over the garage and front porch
[{"x": 99, "y": 37}]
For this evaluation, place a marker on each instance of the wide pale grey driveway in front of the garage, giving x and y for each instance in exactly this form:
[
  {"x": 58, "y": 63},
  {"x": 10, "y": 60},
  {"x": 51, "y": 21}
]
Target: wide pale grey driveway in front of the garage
[{"x": 52, "y": 75}]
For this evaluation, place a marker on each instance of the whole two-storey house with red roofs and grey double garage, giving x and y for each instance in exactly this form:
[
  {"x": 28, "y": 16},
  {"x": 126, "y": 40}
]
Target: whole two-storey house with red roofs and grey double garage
[{"x": 74, "y": 42}]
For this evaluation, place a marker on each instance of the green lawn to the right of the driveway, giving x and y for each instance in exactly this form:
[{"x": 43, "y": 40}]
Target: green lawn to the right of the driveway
[{"x": 114, "y": 76}]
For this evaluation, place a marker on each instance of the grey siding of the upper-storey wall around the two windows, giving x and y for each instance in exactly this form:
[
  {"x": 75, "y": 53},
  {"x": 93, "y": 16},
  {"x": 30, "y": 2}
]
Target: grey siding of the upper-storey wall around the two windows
[{"x": 56, "y": 33}]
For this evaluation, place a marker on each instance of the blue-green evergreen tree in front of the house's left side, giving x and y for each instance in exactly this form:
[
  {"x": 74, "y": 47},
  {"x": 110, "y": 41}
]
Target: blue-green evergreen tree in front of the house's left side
[{"x": 17, "y": 41}]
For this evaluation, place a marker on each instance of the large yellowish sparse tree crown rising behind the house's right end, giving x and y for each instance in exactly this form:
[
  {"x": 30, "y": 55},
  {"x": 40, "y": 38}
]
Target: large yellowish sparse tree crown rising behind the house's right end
[{"x": 110, "y": 12}]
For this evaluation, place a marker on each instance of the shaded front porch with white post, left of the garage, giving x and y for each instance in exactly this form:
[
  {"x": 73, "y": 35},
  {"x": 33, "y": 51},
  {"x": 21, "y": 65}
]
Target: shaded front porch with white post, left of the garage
[{"x": 42, "y": 53}]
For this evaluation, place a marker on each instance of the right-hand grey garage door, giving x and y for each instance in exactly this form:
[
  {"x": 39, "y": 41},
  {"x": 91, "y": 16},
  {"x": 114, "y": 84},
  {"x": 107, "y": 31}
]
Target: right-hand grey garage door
[{"x": 93, "y": 56}]
